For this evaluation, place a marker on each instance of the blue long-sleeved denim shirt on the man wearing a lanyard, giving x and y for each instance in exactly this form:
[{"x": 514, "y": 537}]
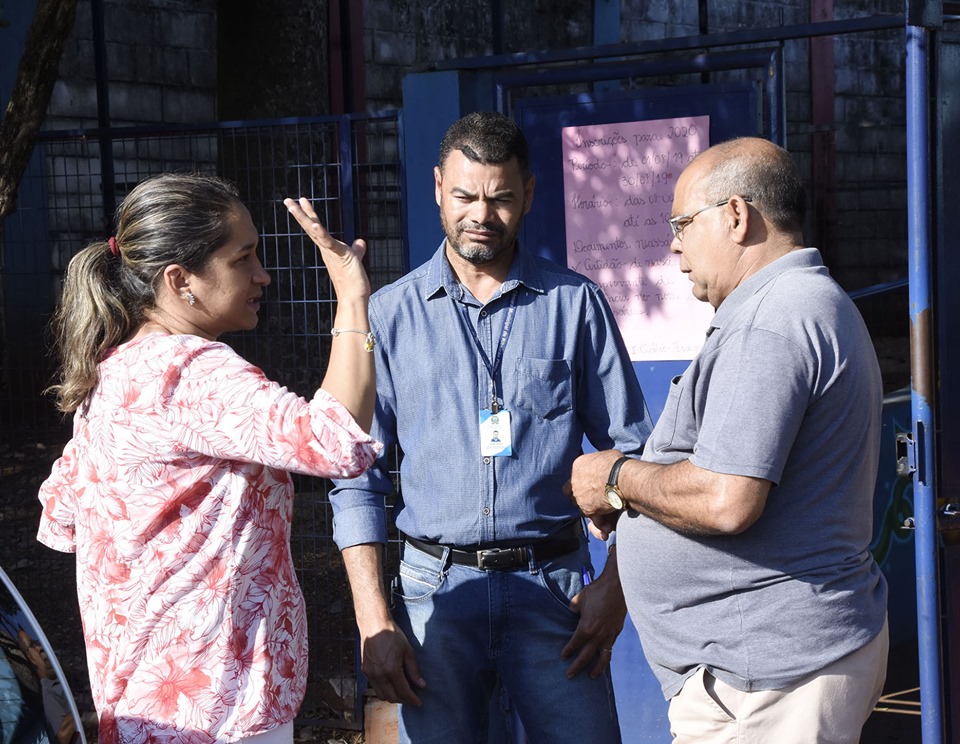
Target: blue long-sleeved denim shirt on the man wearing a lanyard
[{"x": 565, "y": 373}]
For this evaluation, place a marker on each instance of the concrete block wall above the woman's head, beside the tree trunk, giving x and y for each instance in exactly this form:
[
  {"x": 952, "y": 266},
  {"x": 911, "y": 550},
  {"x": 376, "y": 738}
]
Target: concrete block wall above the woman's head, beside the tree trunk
[{"x": 161, "y": 62}]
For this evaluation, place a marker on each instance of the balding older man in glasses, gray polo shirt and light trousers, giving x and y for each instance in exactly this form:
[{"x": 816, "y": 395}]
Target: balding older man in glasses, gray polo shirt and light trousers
[{"x": 743, "y": 531}]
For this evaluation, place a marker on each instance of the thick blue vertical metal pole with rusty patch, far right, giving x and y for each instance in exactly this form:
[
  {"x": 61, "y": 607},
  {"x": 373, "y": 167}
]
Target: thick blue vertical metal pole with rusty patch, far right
[{"x": 921, "y": 328}]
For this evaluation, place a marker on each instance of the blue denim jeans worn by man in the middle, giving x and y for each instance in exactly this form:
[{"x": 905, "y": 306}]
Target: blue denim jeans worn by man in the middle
[{"x": 471, "y": 628}]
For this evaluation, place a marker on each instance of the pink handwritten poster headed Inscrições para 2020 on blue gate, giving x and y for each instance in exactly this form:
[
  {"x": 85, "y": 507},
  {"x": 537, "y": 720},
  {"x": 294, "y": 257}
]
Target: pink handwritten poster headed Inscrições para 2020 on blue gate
[{"x": 618, "y": 182}]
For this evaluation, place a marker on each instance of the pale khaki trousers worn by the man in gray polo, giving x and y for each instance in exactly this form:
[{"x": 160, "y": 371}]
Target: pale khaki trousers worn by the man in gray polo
[{"x": 828, "y": 707}]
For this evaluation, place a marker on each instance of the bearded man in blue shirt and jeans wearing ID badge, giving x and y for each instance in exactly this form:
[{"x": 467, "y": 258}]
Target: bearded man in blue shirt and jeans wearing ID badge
[{"x": 492, "y": 365}]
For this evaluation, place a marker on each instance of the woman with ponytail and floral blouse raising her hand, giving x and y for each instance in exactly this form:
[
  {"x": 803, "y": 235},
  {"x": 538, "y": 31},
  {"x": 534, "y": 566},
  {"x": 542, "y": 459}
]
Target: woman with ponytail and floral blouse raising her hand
[{"x": 174, "y": 491}]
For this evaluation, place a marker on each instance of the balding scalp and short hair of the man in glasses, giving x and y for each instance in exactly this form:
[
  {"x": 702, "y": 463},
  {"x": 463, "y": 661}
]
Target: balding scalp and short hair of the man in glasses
[{"x": 754, "y": 167}]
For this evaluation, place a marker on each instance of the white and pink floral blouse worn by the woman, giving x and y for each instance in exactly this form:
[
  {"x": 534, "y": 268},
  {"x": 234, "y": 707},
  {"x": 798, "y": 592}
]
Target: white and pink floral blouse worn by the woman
[{"x": 174, "y": 493}]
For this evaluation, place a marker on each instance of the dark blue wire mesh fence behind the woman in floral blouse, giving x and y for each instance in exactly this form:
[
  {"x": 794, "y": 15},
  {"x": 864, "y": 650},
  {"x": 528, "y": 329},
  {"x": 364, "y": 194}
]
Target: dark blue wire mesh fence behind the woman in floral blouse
[{"x": 349, "y": 168}]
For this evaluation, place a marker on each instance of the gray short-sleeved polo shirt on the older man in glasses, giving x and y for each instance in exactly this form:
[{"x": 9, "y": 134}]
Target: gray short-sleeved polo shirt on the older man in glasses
[{"x": 786, "y": 388}]
